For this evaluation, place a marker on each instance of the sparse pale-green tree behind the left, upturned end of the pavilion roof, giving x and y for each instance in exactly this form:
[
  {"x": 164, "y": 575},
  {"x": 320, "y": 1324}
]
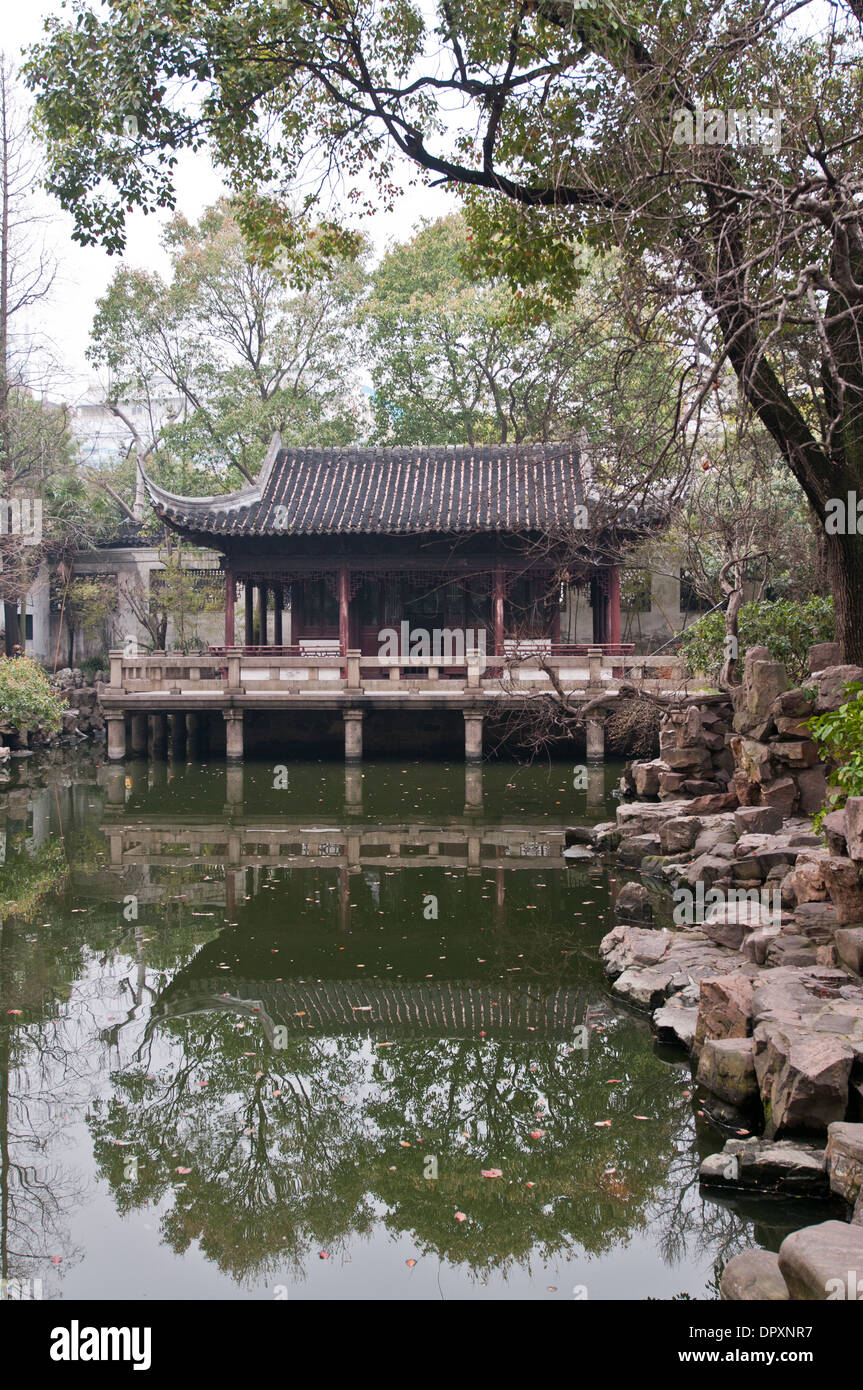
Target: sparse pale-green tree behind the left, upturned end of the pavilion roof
[{"x": 223, "y": 354}]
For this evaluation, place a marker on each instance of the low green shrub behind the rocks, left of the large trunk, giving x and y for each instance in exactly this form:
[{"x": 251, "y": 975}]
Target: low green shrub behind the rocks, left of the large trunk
[{"x": 787, "y": 629}]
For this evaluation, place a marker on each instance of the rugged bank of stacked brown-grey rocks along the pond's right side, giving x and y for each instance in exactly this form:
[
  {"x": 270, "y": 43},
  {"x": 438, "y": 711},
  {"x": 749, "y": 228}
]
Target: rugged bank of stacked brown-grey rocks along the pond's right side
[{"x": 740, "y": 931}]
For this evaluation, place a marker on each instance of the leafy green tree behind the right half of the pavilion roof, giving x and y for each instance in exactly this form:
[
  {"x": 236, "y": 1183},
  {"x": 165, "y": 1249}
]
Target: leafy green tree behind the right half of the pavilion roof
[{"x": 454, "y": 362}]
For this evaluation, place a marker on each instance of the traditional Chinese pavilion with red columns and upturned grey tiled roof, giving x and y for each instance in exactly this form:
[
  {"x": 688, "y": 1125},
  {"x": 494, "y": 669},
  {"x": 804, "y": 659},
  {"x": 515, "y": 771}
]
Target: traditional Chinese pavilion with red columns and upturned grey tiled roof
[{"x": 336, "y": 546}]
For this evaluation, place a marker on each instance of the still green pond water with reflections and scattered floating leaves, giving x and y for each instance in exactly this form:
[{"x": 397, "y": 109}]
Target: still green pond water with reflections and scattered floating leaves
[{"x": 263, "y": 1029}]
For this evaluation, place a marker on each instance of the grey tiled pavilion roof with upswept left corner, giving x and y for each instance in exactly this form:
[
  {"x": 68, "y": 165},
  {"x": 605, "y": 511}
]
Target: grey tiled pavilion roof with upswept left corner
[{"x": 391, "y": 493}]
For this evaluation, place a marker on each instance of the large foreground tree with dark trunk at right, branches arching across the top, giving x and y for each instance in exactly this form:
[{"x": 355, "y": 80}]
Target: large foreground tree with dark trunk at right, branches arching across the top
[{"x": 715, "y": 144}]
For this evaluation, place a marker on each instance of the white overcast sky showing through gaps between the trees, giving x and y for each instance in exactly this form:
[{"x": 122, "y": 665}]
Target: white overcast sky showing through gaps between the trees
[{"x": 84, "y": 273}]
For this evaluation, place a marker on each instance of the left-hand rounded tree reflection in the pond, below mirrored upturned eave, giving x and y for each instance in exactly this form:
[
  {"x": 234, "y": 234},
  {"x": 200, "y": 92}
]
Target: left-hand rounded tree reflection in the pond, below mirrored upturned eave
[{"x": 276, "y": 1159}]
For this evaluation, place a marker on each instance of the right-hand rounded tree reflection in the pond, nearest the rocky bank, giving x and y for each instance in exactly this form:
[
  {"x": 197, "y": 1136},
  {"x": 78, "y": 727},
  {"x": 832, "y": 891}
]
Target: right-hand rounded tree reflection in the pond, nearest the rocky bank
[{"x": 476, "y": 1107}]
